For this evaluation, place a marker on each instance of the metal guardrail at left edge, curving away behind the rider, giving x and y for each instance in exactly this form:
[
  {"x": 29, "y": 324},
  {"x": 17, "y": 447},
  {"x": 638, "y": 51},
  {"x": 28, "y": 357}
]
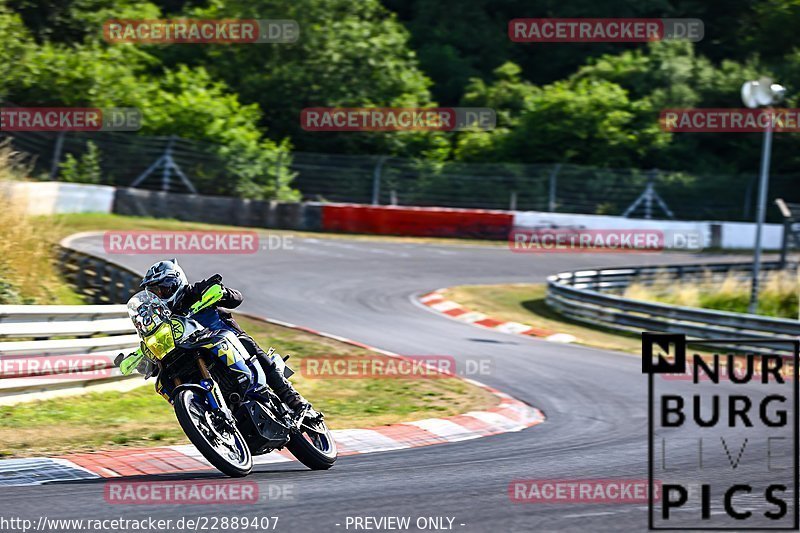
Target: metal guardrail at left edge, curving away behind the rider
[{"x": 45, "y": 348}]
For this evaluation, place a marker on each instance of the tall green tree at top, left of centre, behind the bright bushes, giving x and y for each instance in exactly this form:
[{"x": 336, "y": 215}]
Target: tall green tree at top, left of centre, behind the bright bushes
[{"x": 349, "y": 54}]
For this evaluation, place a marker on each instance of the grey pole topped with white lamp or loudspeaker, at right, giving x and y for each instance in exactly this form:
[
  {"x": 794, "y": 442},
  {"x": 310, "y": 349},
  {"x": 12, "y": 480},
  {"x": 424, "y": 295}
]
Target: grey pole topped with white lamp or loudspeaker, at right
[{"x": 754, "y": 94}]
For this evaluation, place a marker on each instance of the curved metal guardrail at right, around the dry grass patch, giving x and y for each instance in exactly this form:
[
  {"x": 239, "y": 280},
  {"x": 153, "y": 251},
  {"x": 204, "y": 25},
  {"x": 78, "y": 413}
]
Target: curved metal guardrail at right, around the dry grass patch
[{"x": 589, "y": 296}]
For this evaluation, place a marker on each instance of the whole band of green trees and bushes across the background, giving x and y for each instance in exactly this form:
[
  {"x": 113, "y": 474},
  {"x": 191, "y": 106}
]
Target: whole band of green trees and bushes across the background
[{"x": 586, "y": 104}]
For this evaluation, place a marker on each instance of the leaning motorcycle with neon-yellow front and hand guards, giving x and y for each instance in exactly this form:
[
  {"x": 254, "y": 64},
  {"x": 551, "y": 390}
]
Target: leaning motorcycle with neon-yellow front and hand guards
[{"x": 219, "y": 391}]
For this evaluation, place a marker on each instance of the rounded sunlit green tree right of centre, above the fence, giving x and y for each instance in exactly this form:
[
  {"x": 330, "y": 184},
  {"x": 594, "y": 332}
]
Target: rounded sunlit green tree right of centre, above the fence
[{"x": 583, "y": 120}]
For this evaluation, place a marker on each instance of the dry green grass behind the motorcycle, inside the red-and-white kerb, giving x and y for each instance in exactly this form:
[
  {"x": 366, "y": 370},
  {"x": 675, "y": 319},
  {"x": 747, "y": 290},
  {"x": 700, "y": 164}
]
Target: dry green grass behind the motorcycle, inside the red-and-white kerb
[{"x": 143, "y": 418}]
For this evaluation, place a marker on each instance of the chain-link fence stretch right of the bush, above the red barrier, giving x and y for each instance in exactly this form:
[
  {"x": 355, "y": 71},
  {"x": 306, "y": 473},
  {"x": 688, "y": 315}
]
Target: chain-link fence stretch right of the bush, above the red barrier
[{"x": 543, "y": 187}]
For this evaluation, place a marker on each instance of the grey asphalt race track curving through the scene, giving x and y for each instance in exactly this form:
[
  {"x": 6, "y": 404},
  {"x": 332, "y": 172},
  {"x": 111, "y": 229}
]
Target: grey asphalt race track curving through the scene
[{"x": 595, "y": 401}]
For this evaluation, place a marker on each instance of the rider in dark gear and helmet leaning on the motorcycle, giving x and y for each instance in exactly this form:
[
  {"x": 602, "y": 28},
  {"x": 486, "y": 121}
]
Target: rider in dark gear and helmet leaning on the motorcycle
[{"x": 167, "y": 280}]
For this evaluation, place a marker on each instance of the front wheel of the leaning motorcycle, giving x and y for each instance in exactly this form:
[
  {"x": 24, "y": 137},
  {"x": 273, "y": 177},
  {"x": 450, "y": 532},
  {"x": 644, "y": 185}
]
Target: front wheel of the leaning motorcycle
[{"x": 228, "y": 453}]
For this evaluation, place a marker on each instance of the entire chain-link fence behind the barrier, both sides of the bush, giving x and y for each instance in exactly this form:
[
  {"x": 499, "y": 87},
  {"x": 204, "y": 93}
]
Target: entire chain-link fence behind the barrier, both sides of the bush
[{"x": 126, "y": 159}]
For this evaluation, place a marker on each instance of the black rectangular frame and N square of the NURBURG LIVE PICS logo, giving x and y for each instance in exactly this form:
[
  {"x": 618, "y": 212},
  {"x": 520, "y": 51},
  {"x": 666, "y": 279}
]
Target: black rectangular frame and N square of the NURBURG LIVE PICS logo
[{"x": 674, "y": 344}]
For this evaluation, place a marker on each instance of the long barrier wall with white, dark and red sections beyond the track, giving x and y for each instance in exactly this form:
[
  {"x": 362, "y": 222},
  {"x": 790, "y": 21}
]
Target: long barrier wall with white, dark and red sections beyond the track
[{"x": 53, "y": 197}]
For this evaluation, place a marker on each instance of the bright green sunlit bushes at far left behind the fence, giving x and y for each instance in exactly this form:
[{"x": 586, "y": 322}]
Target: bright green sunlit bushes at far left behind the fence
[{"x": 183, "y": 101}]
